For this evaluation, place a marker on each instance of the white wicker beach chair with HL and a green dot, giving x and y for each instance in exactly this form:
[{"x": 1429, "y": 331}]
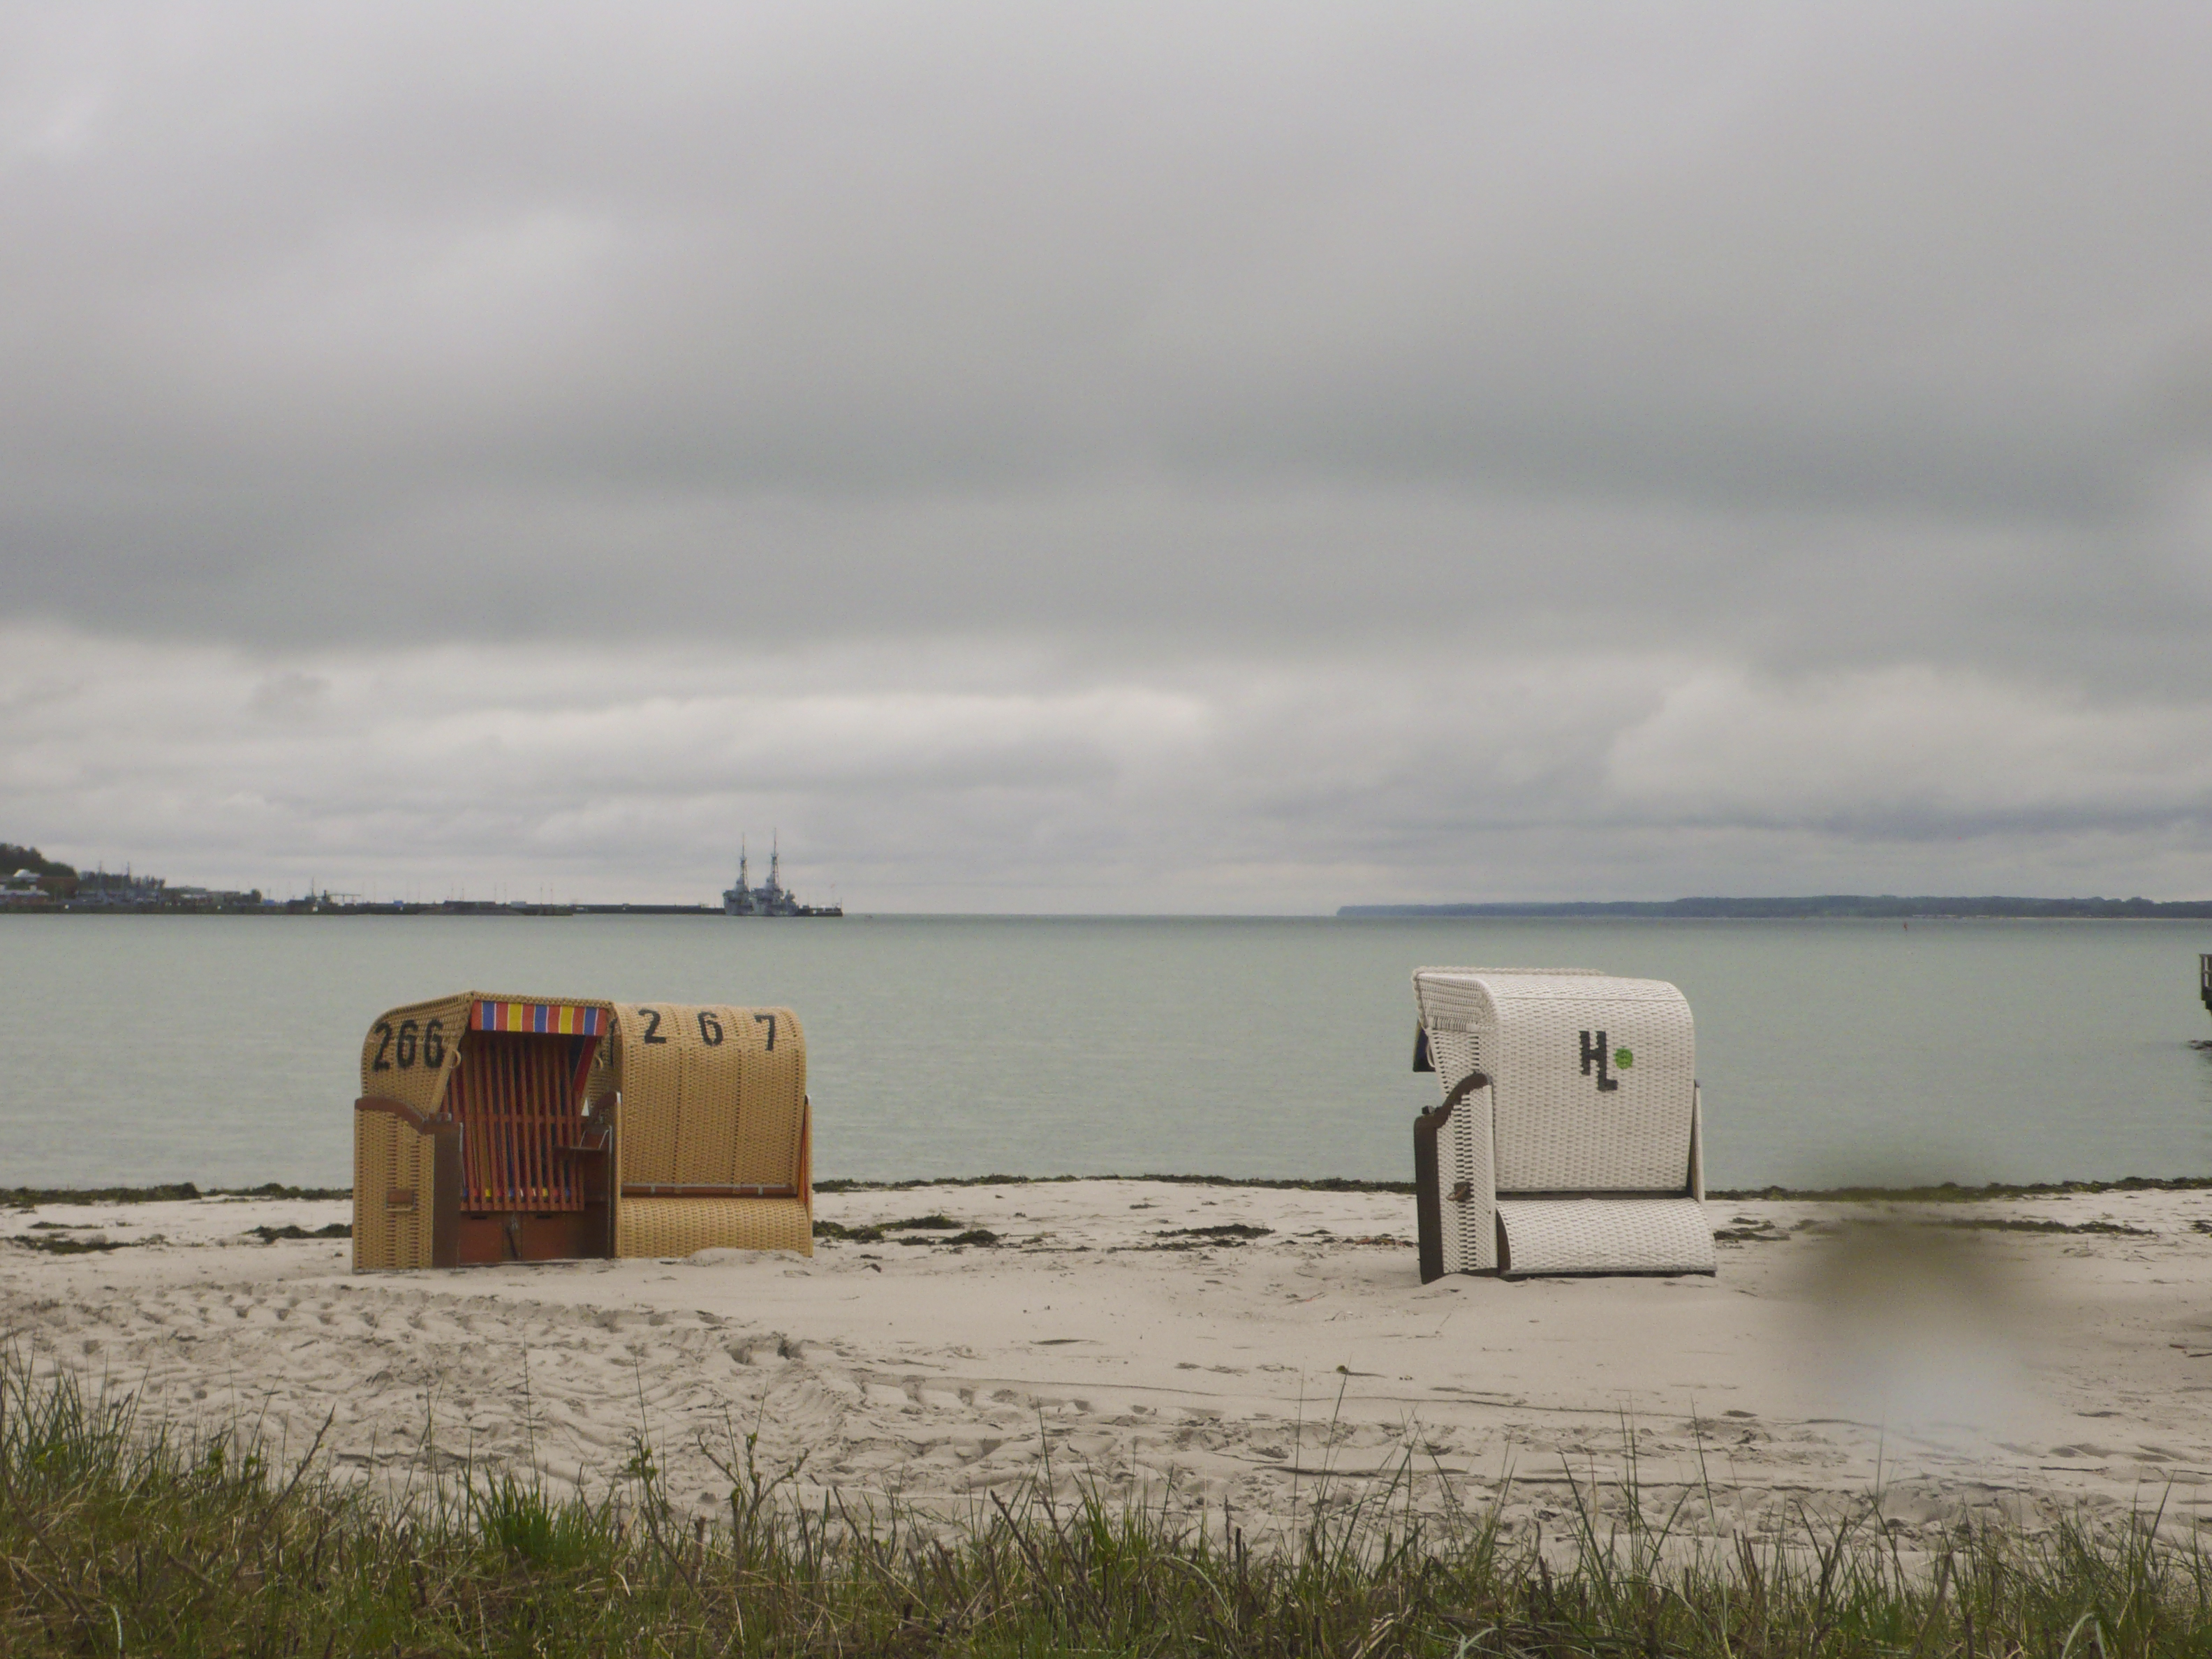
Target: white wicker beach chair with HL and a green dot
[{"x": 1569, "y": 1140}]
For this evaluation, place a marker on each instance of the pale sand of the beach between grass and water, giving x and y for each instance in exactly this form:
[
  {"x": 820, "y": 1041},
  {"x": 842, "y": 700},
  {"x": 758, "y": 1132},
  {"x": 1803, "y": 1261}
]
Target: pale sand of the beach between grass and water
[{"x": 1954, "y": 1368}]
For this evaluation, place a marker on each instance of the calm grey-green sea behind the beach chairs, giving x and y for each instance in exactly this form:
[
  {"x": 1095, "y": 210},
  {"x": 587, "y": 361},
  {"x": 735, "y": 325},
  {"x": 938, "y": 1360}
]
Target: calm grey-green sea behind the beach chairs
[{"x": 225, "y": 1050}]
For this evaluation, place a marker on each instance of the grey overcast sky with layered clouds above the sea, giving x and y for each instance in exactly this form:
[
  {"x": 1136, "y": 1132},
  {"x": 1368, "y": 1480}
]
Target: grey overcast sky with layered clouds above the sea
[{"x": 1229, "y": 459}]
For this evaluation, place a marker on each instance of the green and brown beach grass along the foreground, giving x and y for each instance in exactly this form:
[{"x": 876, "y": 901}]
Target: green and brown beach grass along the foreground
[{"x": 132, "y": 1536}]
